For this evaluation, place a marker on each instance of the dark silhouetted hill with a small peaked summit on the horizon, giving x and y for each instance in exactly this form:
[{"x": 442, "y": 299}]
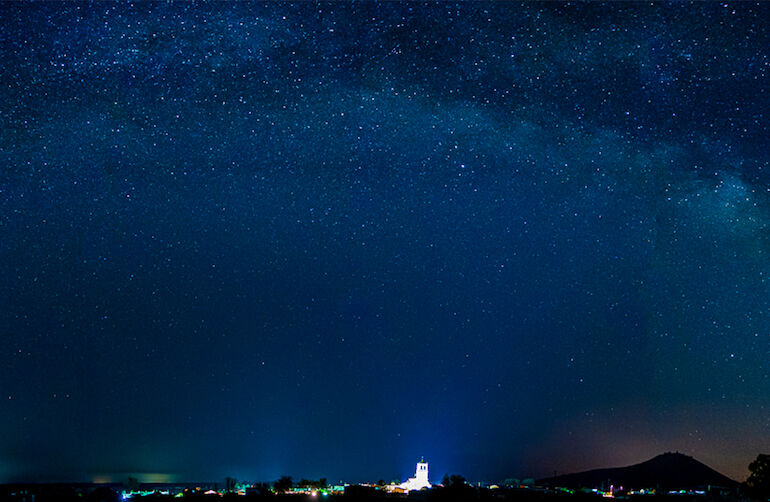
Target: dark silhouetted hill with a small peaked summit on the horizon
[{"x": 670, "y": 471}]
